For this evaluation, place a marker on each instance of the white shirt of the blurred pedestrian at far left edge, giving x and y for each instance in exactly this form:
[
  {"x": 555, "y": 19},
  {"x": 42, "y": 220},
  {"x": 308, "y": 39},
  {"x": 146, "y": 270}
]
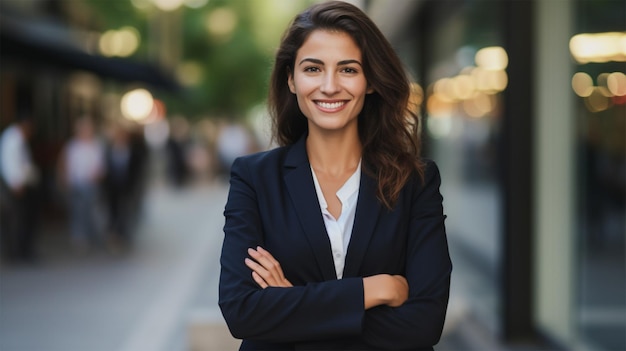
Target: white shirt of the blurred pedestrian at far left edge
[{"x": 17, "y": 166}]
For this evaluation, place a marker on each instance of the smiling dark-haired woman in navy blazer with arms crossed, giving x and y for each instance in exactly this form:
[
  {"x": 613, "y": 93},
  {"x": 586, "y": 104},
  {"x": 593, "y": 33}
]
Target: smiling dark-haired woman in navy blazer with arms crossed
[{"x": 336, "y": 239}]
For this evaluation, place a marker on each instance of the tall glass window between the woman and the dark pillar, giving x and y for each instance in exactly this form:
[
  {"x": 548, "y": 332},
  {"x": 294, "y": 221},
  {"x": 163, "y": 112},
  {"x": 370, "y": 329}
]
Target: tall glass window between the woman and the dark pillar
[{"x": 465, "y": 74}]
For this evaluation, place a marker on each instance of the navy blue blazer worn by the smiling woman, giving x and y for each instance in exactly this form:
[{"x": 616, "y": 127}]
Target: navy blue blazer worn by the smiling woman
[{"x": 272, "y": 203}]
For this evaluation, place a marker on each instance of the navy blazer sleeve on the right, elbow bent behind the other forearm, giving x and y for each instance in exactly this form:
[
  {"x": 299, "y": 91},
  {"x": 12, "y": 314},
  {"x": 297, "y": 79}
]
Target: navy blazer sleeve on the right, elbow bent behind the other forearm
[{"x": 418, "y": 323}]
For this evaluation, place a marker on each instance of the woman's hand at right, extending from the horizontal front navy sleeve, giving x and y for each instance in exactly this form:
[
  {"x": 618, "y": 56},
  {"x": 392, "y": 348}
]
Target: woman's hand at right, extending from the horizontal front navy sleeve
[{"x": 385, "y": 289}]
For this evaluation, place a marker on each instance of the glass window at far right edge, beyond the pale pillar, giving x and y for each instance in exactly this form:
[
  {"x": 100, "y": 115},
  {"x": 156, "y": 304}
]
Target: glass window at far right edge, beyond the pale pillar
[{"x": 600, "y": 85}]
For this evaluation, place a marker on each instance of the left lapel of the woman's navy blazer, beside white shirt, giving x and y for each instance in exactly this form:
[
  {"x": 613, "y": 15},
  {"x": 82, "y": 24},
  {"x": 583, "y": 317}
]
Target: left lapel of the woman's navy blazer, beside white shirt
[{"x": 301, "y": 189}]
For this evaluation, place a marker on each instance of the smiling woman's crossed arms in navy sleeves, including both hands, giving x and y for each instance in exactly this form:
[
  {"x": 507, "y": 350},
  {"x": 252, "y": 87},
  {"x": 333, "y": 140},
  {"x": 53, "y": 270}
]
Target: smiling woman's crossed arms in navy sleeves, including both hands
[{"x": 324, "y": 310}]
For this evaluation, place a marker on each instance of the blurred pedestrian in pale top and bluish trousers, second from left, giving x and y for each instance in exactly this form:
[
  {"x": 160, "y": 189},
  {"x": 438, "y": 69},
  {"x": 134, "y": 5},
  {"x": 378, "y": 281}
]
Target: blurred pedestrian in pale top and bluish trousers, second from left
[{"x": 82, "y": 169}]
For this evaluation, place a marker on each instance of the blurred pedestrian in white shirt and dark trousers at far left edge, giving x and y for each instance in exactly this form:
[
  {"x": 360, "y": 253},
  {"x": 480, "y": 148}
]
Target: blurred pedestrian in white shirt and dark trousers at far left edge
[{"x": 19, "y": 178}]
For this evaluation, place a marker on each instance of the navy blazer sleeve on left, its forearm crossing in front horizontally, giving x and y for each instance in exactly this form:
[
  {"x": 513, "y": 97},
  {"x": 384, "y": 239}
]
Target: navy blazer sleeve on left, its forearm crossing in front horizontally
[{"x": 315, "y": 311}]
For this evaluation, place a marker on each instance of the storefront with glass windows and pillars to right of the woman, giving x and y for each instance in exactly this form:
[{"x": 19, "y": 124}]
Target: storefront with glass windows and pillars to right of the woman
[{"x": 530, "y": 139}]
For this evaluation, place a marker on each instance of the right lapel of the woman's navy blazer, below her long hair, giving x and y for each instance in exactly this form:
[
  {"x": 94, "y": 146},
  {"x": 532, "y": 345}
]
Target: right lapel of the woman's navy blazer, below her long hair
[{"x": 367, "y": 211}]
